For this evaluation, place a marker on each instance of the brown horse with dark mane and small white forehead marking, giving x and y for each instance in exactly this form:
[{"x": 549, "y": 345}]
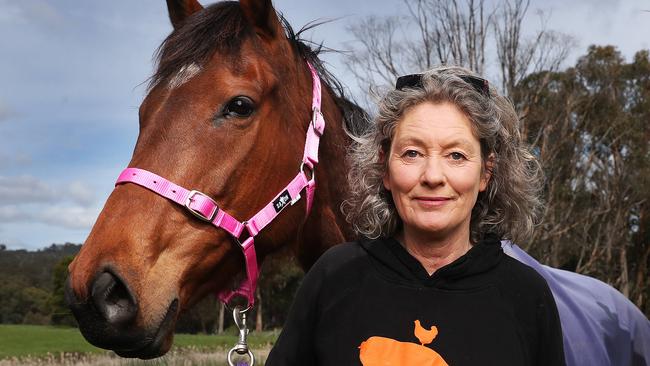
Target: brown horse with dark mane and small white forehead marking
[{"x": 226, "y": 114}]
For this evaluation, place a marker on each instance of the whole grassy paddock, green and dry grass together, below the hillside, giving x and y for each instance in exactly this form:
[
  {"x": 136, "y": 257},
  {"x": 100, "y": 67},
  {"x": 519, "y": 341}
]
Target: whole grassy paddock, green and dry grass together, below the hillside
[{"x": 26, "y": 345}]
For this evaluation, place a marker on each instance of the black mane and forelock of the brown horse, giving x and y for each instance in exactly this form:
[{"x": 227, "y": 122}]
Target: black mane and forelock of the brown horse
[{"x": 223, "y": 27}]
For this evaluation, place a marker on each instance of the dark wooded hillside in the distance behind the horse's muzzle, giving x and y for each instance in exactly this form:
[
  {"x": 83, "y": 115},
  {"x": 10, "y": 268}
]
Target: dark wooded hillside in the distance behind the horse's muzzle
[{"x": 32, "y": 291}]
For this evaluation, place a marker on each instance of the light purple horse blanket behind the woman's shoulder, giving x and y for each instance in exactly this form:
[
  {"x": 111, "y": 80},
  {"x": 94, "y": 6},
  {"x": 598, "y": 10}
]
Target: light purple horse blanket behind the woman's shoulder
[{"x": 600, "y": 325}]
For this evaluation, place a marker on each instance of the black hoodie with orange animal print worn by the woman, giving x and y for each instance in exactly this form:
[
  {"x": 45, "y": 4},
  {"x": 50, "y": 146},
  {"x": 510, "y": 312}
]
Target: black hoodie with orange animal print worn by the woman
[{"x": 487, "y": 309}]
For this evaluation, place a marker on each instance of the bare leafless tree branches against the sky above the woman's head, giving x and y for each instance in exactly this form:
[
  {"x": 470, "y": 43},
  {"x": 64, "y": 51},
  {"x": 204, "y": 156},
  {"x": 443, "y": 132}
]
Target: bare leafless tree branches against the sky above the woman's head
[{"x": 453, "y": 32}]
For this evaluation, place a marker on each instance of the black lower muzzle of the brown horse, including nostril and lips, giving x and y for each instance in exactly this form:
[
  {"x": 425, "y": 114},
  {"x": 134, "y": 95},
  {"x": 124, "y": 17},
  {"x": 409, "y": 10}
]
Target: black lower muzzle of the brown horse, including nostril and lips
[{"x": 107, "y": 319}]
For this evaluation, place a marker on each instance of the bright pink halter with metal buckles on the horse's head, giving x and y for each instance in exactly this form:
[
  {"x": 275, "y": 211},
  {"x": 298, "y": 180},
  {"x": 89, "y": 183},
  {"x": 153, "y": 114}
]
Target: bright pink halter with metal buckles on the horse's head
[{"x": 206, "y": 209}]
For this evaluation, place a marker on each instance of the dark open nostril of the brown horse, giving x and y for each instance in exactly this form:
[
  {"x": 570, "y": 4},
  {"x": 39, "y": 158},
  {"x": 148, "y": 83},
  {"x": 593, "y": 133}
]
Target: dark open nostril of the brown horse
[{"x": 113, "y": 300}]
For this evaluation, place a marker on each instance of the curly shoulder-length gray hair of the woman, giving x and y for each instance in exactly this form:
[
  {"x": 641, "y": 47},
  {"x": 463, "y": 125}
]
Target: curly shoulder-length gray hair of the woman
[{"x": 510, "y": 205}]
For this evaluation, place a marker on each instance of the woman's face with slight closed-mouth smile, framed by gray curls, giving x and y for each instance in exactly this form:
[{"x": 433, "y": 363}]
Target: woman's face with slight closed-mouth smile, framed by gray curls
[{"x": 434, "y": 170}]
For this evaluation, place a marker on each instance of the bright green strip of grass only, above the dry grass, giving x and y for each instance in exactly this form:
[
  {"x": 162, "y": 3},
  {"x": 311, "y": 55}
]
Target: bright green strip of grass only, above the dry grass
[{"x": 39, "y": 341}]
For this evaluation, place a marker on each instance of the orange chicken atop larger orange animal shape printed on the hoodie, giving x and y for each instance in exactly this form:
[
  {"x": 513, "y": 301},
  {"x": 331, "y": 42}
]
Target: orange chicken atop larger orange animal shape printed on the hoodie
[{"x": 381, "y": 351}]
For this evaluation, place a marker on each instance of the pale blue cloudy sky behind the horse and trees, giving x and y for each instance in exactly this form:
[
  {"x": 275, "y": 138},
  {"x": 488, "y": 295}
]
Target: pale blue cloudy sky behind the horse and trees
[{"x": 71, "y": 81}]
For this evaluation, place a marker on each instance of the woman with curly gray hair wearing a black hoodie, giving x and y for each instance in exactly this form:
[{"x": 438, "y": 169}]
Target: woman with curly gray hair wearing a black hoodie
[{"x": 441, "y": 178}]
